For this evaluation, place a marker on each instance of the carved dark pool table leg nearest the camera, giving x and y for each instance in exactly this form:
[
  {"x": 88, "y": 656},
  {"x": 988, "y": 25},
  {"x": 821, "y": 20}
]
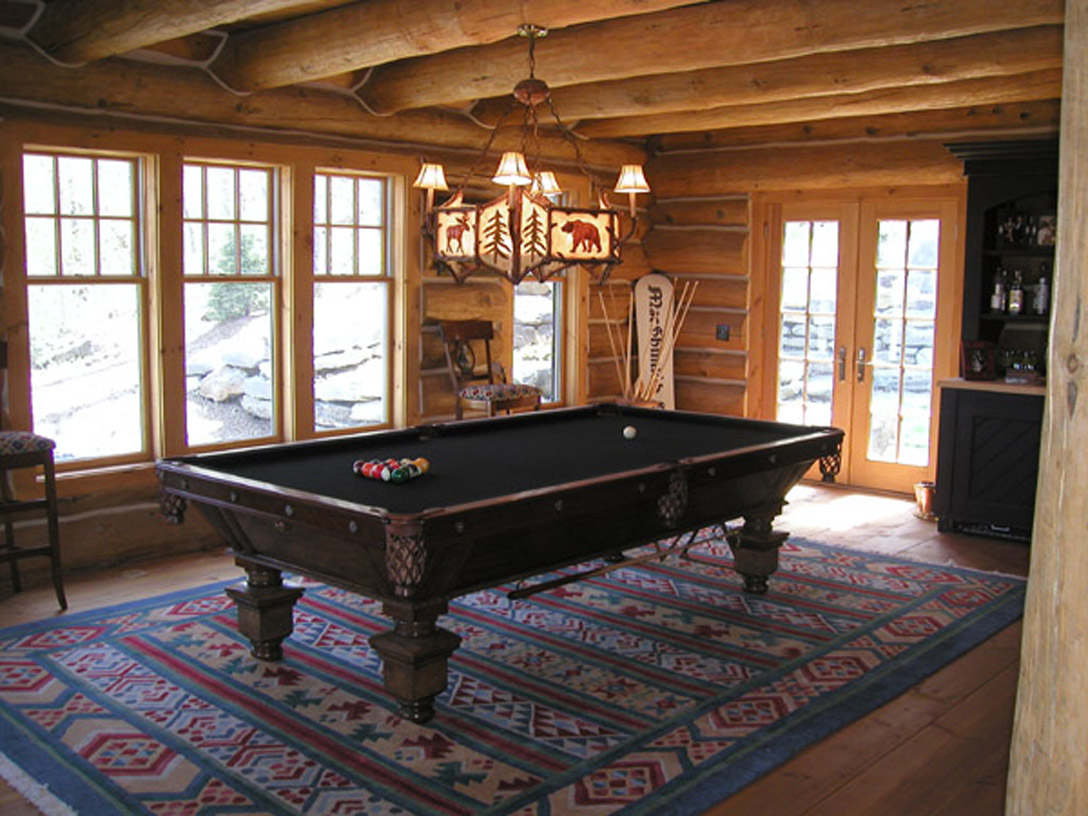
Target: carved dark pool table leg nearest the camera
[{"x": 415, "y": 658}]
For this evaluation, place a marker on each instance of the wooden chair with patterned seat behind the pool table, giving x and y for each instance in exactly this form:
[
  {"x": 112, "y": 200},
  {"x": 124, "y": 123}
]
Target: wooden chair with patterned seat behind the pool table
[{"x": 478, "y": 390}]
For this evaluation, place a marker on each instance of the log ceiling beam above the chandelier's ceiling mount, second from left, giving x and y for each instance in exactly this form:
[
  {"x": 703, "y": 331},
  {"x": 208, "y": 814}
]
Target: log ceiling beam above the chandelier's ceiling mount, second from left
[{"x": 378, "y": 32}]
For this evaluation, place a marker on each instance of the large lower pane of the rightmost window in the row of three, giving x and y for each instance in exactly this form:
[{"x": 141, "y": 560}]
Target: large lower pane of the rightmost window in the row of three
[{"x": 351, "y": 355}]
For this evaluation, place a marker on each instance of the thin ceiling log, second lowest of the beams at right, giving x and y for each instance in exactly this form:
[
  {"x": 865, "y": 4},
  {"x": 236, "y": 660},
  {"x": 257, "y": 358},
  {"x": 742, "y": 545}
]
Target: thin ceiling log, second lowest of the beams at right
[{"x": 1035, "y": 86}]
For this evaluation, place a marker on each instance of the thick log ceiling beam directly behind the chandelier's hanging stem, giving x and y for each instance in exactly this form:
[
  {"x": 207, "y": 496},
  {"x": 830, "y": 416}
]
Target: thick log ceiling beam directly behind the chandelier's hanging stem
[{"x": 703, "y": 36}]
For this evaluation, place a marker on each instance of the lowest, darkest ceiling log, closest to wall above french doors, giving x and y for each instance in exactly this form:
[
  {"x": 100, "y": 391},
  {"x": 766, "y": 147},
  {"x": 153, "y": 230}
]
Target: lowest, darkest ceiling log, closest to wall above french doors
[{"x": 1028, "y": 118}]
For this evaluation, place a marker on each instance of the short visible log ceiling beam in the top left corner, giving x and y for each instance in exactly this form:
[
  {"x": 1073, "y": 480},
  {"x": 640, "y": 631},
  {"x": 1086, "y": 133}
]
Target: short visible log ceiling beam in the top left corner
[{"x": 77, "y": 32}]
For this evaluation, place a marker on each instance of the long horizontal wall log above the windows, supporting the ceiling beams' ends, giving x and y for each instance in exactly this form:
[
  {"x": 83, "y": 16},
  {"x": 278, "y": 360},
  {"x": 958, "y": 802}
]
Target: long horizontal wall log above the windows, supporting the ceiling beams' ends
[{"x": 149, "y": 91}]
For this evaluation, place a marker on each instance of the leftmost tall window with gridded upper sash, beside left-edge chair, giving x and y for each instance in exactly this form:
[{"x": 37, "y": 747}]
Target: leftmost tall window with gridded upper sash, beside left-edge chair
[{"x": 86, "y": 290}]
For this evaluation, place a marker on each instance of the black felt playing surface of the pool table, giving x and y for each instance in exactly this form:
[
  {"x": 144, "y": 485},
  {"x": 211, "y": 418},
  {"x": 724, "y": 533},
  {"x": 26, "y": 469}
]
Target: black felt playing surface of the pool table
[{"x": 480, "y": 461}]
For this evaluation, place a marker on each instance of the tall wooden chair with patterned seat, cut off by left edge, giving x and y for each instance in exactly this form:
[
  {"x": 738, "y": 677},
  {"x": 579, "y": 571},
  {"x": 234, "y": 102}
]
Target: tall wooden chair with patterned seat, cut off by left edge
[{"x": 27, "y": 450}]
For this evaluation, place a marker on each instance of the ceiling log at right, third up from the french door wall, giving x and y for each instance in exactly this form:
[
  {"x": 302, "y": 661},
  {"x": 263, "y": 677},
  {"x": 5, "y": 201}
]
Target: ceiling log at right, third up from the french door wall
[{"x": 1000, "y": 54}]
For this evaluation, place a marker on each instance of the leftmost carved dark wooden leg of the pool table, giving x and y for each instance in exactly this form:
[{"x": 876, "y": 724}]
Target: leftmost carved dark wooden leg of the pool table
[{"x": 266, "y": 610}]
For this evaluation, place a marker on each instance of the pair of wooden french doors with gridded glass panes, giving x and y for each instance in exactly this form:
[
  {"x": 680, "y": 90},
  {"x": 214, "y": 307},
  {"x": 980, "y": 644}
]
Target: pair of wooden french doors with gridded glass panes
[{"x": 864, "y": 305}]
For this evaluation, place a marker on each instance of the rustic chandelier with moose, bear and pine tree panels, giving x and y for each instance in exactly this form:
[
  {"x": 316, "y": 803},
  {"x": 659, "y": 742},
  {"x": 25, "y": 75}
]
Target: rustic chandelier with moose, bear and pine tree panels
[{"x": 526, "y": 232}]
